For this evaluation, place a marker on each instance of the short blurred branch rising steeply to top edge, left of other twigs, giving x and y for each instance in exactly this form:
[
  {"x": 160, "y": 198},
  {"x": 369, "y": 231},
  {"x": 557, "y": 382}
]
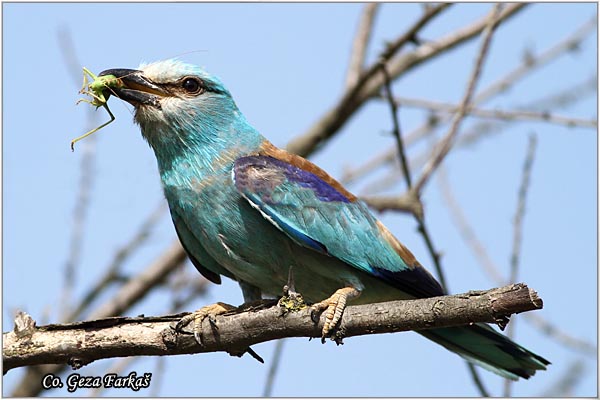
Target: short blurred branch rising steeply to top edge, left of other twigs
[{"x": 361, "y": 43}]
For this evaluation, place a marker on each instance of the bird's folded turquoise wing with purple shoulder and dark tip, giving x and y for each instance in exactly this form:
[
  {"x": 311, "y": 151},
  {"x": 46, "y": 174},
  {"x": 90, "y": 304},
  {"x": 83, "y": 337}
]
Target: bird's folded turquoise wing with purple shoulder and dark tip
[{"x": 316, "y": 212}]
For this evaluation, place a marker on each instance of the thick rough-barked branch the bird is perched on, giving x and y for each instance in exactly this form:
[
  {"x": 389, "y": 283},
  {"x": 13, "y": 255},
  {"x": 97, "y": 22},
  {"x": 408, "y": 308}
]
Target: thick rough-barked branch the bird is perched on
[{"x": 80, "y": 343}]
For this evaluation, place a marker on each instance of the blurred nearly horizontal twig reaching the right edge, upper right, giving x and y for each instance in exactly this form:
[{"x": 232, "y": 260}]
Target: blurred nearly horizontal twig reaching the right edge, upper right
[{"x": 499, "y": 114}]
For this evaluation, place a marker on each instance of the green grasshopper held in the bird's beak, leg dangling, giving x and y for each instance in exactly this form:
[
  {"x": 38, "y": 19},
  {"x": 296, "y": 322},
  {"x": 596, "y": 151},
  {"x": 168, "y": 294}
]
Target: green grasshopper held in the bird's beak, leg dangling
[{"x": 99, "y": 90}]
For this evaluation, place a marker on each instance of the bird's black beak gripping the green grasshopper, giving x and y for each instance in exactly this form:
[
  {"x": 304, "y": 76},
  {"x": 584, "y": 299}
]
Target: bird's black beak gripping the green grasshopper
[{"x": 136, "y": 89}]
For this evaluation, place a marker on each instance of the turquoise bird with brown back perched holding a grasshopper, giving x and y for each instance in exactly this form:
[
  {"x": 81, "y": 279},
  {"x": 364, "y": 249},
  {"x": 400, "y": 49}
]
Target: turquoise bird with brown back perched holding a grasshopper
[{"x": 248, "y": 210}]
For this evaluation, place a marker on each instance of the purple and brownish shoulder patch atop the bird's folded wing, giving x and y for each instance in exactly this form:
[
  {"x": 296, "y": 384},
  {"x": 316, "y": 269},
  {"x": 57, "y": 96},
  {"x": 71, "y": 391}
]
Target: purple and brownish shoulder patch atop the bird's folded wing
[{"x": 270, "y": 171}]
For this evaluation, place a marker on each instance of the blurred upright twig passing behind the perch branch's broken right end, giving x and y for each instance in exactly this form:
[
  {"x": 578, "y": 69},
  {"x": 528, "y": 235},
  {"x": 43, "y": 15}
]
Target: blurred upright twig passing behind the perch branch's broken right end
[{"x": 518, "y": 232}]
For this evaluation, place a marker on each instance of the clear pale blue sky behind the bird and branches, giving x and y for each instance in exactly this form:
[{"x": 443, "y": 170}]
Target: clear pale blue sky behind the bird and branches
[{"x": 285, "y": 65}]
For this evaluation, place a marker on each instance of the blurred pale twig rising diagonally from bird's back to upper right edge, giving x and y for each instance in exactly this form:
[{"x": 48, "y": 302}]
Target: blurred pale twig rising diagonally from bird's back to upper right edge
[{"x": 529, "y": 65}]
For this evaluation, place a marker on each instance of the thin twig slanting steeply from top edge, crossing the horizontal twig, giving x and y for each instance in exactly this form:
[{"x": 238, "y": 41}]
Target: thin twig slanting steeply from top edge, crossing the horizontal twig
[{"x": 446, "y": 144}]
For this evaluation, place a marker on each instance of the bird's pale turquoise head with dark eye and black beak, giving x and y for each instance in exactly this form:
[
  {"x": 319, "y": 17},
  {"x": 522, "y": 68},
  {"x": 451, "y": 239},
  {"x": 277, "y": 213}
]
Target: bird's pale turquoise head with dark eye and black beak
[{"x": 179, "y": 106}]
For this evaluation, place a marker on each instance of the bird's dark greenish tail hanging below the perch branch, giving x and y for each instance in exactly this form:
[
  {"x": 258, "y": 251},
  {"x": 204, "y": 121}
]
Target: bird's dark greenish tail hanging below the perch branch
[{"x": 482, "y": 345}]
